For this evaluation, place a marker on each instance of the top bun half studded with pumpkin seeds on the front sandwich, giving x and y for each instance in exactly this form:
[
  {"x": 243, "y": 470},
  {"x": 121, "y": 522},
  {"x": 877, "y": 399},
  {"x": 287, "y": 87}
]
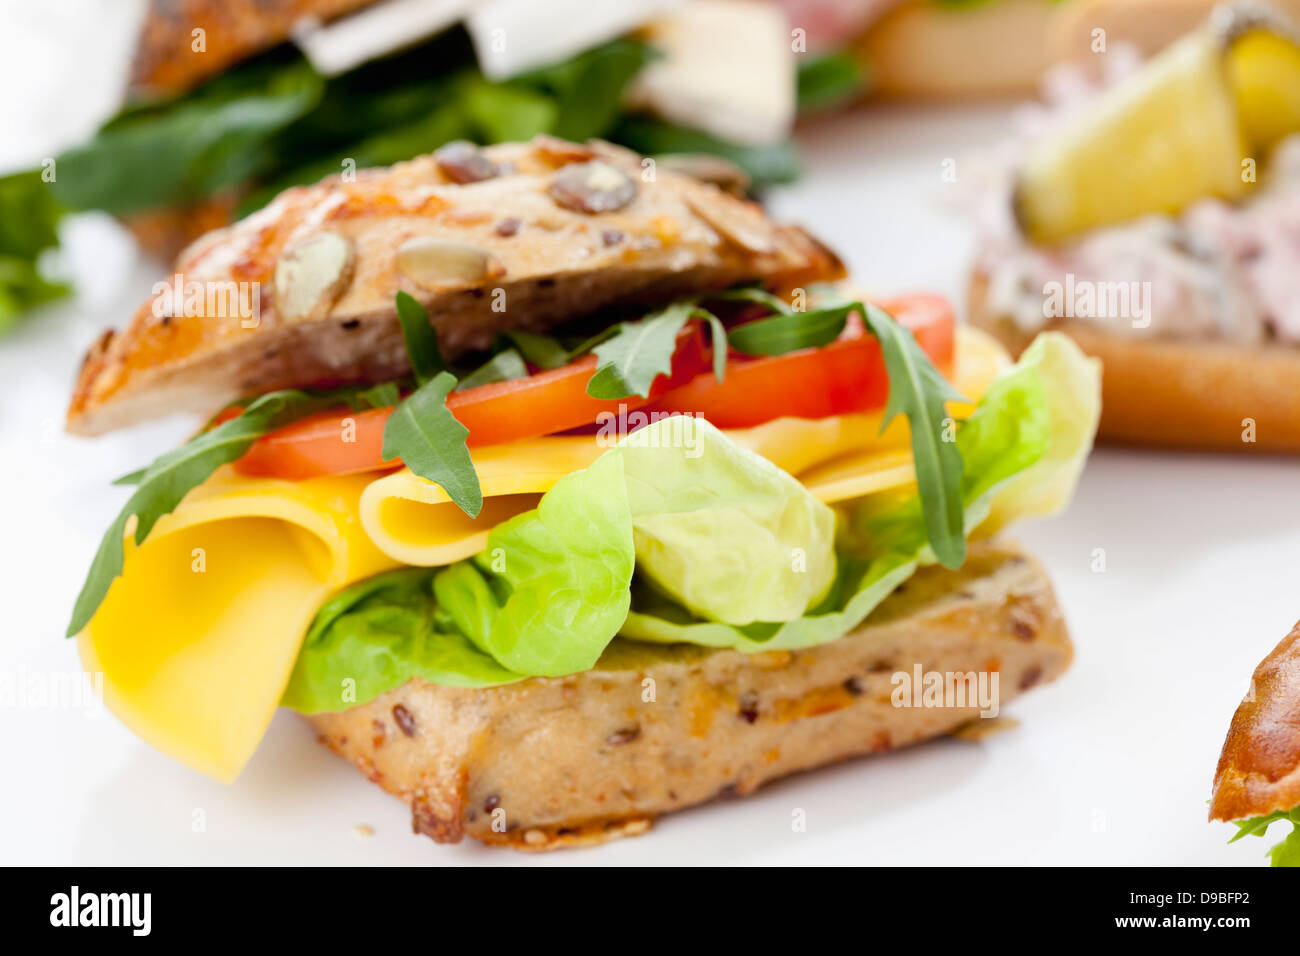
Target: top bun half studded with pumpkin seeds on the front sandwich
[{"x": 518, "y": 236}]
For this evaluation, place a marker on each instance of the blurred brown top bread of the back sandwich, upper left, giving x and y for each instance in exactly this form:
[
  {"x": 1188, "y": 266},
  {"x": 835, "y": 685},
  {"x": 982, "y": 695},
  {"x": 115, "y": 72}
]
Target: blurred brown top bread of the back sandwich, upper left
[{"x": 167, "y": 63}]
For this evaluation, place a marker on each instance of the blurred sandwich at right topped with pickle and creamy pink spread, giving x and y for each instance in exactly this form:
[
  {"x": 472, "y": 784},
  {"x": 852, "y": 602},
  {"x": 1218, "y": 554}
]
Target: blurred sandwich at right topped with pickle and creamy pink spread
[{"x": 1151, "y": 217}]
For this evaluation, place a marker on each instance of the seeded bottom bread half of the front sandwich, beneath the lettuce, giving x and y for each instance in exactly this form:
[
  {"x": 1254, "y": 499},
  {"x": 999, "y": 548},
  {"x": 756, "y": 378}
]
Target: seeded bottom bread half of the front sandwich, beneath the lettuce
[{"x": 561, "y": 762}]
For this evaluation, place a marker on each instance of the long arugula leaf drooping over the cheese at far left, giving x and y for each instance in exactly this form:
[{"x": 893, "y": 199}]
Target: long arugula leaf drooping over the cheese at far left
[{"x": 174, "y": 475}]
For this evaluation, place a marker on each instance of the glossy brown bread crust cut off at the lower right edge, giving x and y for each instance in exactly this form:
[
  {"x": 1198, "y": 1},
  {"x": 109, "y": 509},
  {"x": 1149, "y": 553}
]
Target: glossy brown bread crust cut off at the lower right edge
[{"x": 1259, "y": 771}]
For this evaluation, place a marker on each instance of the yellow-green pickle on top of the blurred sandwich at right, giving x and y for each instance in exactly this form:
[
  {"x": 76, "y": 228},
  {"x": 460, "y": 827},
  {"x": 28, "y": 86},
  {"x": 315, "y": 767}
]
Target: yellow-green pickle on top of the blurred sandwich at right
[{"x": 1189, "y": 126}]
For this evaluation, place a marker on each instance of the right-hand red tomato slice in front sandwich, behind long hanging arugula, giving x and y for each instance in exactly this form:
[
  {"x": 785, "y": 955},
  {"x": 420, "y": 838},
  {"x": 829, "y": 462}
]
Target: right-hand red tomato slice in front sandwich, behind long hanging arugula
[{"x": 846, "y": 377}]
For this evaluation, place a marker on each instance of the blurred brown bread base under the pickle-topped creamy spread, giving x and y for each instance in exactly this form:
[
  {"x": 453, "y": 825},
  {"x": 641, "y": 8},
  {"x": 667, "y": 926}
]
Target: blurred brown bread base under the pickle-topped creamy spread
[{"x": 1178, "y": 395}]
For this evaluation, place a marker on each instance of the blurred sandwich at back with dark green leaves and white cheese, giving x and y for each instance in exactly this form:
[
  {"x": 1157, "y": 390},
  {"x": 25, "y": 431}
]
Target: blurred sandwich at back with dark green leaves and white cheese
[{"x": 231, "y": 103}]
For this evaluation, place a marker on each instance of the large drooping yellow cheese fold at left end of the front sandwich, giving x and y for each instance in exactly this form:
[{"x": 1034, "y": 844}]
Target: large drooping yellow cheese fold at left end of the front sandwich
[{"x": 198, "y": 638}]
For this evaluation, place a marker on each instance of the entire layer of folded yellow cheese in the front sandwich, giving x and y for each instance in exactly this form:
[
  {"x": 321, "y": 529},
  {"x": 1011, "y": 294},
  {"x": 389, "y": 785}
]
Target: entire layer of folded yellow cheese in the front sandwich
[{"x": 200, "y": 635}]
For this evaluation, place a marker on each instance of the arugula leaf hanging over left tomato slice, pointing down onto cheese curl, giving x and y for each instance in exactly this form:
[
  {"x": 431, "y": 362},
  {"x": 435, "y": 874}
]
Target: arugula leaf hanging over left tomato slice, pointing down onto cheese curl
[{"x": 432, "y": 443}]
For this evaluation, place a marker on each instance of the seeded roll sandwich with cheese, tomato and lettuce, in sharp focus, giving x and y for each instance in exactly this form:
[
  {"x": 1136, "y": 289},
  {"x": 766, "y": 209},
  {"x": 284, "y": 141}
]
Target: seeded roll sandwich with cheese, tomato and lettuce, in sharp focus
[{"x": 560, "y": 491}]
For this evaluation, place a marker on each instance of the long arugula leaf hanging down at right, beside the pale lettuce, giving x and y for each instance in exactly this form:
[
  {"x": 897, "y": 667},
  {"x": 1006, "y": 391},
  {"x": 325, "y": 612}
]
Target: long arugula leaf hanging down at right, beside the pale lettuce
[{"x": 918, "y": 391}]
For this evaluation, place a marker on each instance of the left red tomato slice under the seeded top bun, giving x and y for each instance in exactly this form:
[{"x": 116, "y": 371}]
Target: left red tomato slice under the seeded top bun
[{"x": 344, "y": 442}]
